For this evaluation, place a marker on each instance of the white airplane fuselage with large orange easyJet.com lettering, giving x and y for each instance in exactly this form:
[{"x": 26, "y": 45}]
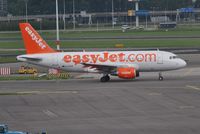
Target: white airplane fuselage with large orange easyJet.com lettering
[{"x": 142, "y": 61}]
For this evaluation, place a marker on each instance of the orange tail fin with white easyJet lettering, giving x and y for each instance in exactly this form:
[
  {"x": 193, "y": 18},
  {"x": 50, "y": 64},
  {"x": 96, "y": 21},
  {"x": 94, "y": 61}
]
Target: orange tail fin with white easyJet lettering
[{"x": 33, "y": 42}]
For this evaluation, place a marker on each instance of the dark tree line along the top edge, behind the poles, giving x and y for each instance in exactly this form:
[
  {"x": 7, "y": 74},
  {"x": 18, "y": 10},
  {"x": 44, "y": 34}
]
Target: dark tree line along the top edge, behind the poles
[{"x": 17, "y": 7}]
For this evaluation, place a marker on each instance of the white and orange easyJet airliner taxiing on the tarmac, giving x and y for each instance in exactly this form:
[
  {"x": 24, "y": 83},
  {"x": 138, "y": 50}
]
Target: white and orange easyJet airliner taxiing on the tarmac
[{"x": 124, "y": 64}]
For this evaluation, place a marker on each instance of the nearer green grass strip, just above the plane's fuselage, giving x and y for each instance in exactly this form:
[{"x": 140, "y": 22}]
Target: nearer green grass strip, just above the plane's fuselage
[{"x": 111, "y": 43}]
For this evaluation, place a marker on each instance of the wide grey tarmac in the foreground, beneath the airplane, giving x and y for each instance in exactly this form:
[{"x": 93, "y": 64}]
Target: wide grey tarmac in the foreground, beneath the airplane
[{"x": 87, "y": 106}]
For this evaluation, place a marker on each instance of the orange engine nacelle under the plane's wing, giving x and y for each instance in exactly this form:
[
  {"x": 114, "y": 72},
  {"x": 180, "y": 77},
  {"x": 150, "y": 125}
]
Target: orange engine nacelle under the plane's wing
[{"x": 127, "y": 73}]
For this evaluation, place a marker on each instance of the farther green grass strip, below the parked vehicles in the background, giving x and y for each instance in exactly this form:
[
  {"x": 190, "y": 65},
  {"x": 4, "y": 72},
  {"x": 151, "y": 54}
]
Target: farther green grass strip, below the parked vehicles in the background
[{"x": 180, "y": 30}]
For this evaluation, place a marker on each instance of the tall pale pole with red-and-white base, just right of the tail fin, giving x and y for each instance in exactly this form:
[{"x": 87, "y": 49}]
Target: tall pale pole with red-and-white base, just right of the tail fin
[{"x": 57, "y": 28}]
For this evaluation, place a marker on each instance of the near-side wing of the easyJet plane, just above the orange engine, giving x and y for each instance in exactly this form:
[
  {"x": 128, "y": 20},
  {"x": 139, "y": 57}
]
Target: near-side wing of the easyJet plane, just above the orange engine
[{"x": 105, "y": 68}]
